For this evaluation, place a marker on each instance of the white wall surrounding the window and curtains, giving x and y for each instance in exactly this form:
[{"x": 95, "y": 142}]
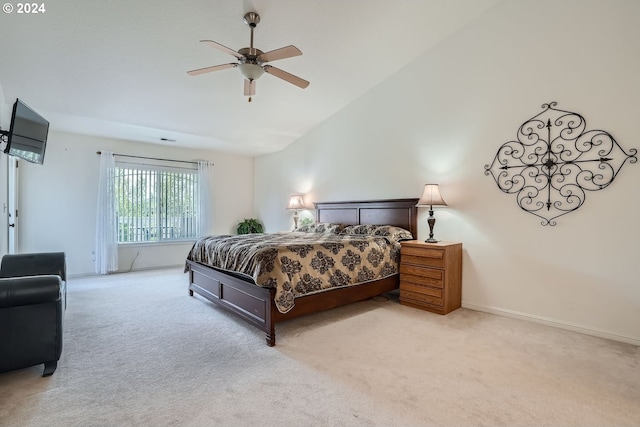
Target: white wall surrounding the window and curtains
[{"x": 57, "y": 205}]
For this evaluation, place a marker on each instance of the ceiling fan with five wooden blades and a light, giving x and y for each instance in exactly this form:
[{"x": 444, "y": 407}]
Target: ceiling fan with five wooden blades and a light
[{"x": 251, "y": 61}]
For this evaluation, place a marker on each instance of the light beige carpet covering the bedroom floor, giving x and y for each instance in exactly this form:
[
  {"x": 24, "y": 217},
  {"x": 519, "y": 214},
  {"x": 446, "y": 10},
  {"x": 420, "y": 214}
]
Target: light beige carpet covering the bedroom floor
[{"x": 138, "y": 351}]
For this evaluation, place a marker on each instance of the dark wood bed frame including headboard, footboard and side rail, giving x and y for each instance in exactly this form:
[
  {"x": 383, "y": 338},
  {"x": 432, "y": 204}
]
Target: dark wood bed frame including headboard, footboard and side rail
[{"x": 256, "y": 305}]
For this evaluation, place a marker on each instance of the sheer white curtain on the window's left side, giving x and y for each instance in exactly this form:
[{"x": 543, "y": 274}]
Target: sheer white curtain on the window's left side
[{"x": 106, "y": 221}]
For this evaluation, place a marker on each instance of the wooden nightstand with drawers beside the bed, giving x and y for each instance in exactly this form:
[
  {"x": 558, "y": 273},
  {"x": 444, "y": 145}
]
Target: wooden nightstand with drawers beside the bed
[{"x": 431, "y": 275}]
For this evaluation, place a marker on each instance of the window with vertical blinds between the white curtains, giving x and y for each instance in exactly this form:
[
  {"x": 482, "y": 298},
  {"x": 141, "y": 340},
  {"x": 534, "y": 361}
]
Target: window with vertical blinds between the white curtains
[{"x": 155, "y": 203}]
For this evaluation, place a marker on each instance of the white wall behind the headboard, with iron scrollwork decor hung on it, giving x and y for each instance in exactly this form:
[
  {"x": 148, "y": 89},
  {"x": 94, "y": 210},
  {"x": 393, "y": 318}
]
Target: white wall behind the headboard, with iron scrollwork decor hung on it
[{"x": 442, "y": 118}]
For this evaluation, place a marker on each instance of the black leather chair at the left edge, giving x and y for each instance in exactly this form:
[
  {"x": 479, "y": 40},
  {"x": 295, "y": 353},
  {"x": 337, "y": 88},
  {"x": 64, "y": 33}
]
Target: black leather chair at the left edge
[{"x": 32, "y": 305}]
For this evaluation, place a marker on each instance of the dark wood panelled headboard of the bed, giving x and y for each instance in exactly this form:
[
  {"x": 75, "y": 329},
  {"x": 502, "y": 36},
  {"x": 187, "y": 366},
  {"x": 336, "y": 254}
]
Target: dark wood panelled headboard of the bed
[{"x": 398, "y": 212}]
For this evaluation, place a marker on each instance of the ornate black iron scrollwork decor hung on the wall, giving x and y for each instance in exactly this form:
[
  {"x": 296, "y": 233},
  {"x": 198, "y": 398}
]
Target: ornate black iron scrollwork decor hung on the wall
[{"x": 555, "y": 161}]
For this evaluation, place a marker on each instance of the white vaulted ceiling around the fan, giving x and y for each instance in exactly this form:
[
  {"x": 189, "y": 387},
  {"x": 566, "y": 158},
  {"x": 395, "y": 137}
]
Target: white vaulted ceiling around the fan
[{"x": 118, "y": 68}]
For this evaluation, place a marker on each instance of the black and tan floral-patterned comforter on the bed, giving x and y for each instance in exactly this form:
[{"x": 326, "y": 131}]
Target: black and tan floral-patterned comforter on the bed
[{"x": 297, "y": 263}]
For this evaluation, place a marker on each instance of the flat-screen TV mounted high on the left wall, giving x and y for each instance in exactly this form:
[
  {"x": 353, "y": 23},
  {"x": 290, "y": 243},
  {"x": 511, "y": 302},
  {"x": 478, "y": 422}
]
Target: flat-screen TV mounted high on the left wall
[{"x": 27, "y": 138}]
